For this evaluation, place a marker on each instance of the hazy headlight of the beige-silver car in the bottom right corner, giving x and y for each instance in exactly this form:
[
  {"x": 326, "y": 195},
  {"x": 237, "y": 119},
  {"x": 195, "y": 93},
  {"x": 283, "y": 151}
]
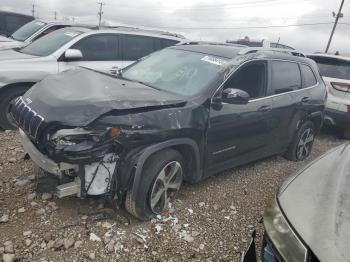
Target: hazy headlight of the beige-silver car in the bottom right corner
[{"x": 282, "y": 236}]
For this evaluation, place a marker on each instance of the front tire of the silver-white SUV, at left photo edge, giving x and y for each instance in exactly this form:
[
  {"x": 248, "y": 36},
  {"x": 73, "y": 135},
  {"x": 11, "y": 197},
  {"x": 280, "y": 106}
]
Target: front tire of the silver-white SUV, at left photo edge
[{"x": 7, "y": 97}]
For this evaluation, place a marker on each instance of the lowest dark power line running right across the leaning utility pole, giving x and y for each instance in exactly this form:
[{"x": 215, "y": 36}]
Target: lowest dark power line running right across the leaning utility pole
[{"x": 249, "y": 27}]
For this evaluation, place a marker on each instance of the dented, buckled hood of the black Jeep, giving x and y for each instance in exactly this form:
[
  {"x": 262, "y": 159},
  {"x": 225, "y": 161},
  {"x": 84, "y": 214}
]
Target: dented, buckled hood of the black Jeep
[{"x": 78, "y": 97}]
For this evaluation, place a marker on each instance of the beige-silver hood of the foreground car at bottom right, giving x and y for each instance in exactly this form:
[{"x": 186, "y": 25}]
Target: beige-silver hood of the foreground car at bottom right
[{"x": 317, "y": 204}]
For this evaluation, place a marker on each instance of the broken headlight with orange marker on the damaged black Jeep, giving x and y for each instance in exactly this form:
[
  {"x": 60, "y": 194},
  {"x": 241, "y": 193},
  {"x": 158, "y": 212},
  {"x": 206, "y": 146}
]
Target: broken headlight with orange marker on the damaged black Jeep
[{"x": 79, "y": 139}]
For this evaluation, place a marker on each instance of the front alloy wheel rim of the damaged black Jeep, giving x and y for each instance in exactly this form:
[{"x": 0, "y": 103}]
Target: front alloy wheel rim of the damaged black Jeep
[{"x": 165, "y": 187}]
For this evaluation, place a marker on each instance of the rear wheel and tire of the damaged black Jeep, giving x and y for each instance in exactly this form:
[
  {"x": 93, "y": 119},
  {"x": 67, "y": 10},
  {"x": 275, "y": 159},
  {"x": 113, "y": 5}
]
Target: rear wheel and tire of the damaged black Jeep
[{"x": 301, "y": 146}]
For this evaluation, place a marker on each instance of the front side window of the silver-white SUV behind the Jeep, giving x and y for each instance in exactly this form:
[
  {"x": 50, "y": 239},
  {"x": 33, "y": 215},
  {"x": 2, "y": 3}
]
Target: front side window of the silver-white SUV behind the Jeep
[{"x": 101, "y": 47}]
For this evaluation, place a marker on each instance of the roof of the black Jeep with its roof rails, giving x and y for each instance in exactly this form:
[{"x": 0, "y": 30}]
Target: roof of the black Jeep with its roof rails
[{"x": 231, "y": 51}]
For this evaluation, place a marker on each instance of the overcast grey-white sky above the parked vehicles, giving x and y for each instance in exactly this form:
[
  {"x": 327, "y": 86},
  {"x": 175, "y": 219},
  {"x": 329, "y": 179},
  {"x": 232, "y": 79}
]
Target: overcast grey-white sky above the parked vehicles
[{"x": 217, "y": 20}]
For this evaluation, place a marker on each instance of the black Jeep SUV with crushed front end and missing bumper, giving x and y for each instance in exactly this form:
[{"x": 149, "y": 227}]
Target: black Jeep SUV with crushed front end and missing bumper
[{"x": 182, "y": 113}]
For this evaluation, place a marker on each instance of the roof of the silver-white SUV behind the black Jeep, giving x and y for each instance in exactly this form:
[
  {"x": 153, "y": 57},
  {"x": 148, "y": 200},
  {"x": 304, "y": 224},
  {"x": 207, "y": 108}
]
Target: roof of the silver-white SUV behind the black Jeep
[{"x": 128, "y": 30}]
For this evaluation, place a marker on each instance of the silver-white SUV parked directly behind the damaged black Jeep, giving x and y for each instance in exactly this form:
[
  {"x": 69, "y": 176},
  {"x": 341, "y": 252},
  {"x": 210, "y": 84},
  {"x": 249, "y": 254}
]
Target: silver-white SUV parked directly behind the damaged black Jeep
[{"x": 106, "y": 50}]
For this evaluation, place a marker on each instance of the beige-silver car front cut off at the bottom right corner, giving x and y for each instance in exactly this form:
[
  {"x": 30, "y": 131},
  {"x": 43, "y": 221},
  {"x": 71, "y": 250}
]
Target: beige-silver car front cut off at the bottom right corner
[{"x": 309, "y": 218}]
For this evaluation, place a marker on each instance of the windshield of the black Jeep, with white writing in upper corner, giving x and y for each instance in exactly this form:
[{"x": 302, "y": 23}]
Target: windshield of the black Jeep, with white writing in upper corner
[{"x": 177, "y": 71}]
